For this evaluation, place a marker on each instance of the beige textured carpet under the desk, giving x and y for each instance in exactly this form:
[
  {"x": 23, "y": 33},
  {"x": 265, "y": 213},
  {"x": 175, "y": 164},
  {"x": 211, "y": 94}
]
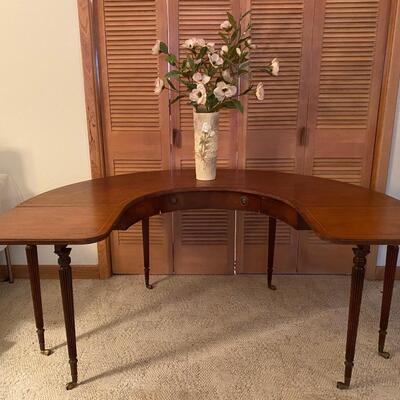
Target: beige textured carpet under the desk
[{"x": 195, "y": 338}]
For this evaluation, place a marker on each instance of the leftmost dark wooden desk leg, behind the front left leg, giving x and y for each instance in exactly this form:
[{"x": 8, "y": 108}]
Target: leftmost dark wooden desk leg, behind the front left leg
[{"x": 34, "y": 278}]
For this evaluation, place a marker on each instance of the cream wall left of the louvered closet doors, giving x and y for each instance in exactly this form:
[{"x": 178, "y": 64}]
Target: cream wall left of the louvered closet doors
[{"x": 43, "y": 137}]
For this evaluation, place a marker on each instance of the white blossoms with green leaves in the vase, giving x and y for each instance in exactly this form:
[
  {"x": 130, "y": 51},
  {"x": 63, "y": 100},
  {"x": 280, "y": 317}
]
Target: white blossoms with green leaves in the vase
[{"x": 211, "y": 76}]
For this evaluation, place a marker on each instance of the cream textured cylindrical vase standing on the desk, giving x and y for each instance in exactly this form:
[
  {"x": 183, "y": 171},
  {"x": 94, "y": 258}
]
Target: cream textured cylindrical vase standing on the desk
[{"x": 206, "y": 144}]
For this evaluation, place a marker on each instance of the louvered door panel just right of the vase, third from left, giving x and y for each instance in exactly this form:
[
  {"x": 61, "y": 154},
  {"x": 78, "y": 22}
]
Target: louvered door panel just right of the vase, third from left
[{"x": 271, "y": 128}]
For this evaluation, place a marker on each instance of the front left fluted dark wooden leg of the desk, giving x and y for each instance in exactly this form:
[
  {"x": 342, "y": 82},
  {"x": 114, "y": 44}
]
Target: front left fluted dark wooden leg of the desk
[{"x": 65, "y": 274}]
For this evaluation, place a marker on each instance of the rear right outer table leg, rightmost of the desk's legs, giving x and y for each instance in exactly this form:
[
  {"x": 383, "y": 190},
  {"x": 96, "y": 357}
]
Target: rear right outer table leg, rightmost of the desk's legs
[{"x": 390, "y": 272}]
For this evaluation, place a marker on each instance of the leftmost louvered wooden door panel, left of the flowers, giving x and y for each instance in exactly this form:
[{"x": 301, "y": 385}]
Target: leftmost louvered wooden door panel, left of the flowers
[{"x": 136, "y": 121}]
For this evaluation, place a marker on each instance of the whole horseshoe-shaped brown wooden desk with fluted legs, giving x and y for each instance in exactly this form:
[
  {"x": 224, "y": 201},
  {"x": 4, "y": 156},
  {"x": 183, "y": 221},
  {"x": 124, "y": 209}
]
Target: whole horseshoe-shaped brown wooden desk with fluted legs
[{"x": 87, "y": 212}]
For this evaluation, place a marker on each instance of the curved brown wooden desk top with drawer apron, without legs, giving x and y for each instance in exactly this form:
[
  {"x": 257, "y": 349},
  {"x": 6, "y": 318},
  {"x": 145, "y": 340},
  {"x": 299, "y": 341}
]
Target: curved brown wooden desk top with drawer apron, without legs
[{"x": 88, "y": 211}]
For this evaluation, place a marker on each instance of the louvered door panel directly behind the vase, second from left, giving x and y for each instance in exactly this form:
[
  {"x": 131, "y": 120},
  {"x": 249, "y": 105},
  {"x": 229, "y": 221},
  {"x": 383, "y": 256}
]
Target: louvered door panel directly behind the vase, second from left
[{"x": 204, "y": 240}]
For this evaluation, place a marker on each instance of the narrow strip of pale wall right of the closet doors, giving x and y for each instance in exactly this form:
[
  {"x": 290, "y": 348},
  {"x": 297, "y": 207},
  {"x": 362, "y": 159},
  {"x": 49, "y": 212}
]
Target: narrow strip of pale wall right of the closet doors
[{"x": 393, "y": 185}]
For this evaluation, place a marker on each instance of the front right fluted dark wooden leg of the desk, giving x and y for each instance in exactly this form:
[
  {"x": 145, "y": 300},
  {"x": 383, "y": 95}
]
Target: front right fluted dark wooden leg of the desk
[{"x": 357, "y": 283}]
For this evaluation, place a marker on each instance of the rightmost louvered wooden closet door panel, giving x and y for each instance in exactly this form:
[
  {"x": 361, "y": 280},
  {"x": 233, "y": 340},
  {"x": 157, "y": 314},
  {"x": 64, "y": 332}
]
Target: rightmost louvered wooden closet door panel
[{"x": 348, "y": 51}]
